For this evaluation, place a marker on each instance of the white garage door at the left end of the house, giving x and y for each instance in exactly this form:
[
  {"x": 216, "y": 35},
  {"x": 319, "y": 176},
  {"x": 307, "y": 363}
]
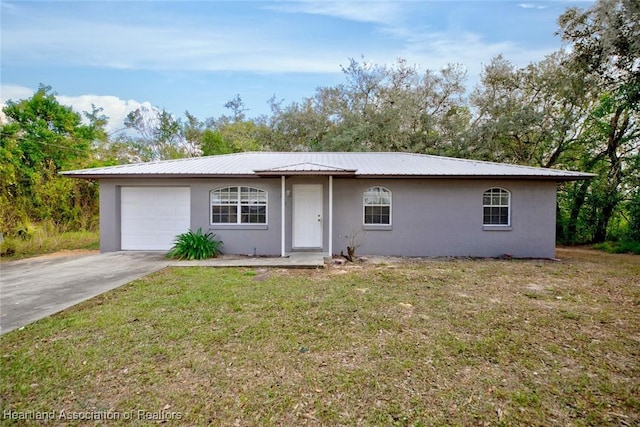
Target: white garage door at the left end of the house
[{"x": 151, "y": 217}]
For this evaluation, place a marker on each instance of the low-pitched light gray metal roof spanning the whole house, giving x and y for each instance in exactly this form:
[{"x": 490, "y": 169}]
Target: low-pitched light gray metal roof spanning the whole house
[{"x": 399, "y": 165}]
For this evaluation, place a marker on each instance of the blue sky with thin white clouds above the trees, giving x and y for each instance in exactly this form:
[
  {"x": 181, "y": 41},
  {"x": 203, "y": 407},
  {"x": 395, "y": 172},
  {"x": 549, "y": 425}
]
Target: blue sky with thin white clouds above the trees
[{"x": 197, "y": 55}]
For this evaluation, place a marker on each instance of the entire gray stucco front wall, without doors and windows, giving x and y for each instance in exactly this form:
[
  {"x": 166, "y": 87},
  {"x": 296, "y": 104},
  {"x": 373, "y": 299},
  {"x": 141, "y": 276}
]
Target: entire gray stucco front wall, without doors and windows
[{"x": 435, "y": 217}]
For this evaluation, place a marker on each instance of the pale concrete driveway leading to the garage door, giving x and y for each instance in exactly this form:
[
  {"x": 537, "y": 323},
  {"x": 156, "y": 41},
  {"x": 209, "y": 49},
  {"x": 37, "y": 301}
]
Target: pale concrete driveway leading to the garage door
[{"x": 34, "y": 288}]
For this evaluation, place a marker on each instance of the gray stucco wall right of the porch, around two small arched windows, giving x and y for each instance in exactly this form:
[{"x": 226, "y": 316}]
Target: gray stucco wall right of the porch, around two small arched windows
[{"x": 444, "y": 218}]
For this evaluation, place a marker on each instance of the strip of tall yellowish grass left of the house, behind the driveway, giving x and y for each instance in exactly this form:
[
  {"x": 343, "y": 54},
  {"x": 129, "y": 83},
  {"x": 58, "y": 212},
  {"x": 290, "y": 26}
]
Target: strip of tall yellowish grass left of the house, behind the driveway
[{"x": 45, "y": 242}]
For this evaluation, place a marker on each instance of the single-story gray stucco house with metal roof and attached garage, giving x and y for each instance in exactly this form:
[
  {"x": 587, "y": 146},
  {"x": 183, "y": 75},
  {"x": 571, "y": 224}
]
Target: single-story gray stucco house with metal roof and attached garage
[{"x": 269, "y": 203}]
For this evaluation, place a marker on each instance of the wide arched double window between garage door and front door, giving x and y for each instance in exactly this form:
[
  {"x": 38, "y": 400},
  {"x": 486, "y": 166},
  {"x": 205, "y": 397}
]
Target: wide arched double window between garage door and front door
[{"x": 238, "y": 205}]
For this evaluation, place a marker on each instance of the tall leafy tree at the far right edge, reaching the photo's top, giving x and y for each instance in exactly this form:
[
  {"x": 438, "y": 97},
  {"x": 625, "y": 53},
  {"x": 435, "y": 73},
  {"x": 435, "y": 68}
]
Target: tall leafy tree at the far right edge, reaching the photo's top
[{"x": 605, "y": 42}]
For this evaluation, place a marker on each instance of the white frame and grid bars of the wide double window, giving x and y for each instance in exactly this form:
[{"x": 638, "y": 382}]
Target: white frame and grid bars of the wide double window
[{"x": 238, "y": 204}]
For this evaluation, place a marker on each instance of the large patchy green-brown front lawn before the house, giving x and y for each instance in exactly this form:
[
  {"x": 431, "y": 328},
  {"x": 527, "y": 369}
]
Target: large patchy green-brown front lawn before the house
[{"x": 434, "y": 343}]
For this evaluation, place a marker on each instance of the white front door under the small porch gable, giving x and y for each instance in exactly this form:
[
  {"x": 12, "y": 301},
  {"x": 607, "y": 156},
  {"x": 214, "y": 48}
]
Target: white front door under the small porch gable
[{"x": 307, "y": 216}]
